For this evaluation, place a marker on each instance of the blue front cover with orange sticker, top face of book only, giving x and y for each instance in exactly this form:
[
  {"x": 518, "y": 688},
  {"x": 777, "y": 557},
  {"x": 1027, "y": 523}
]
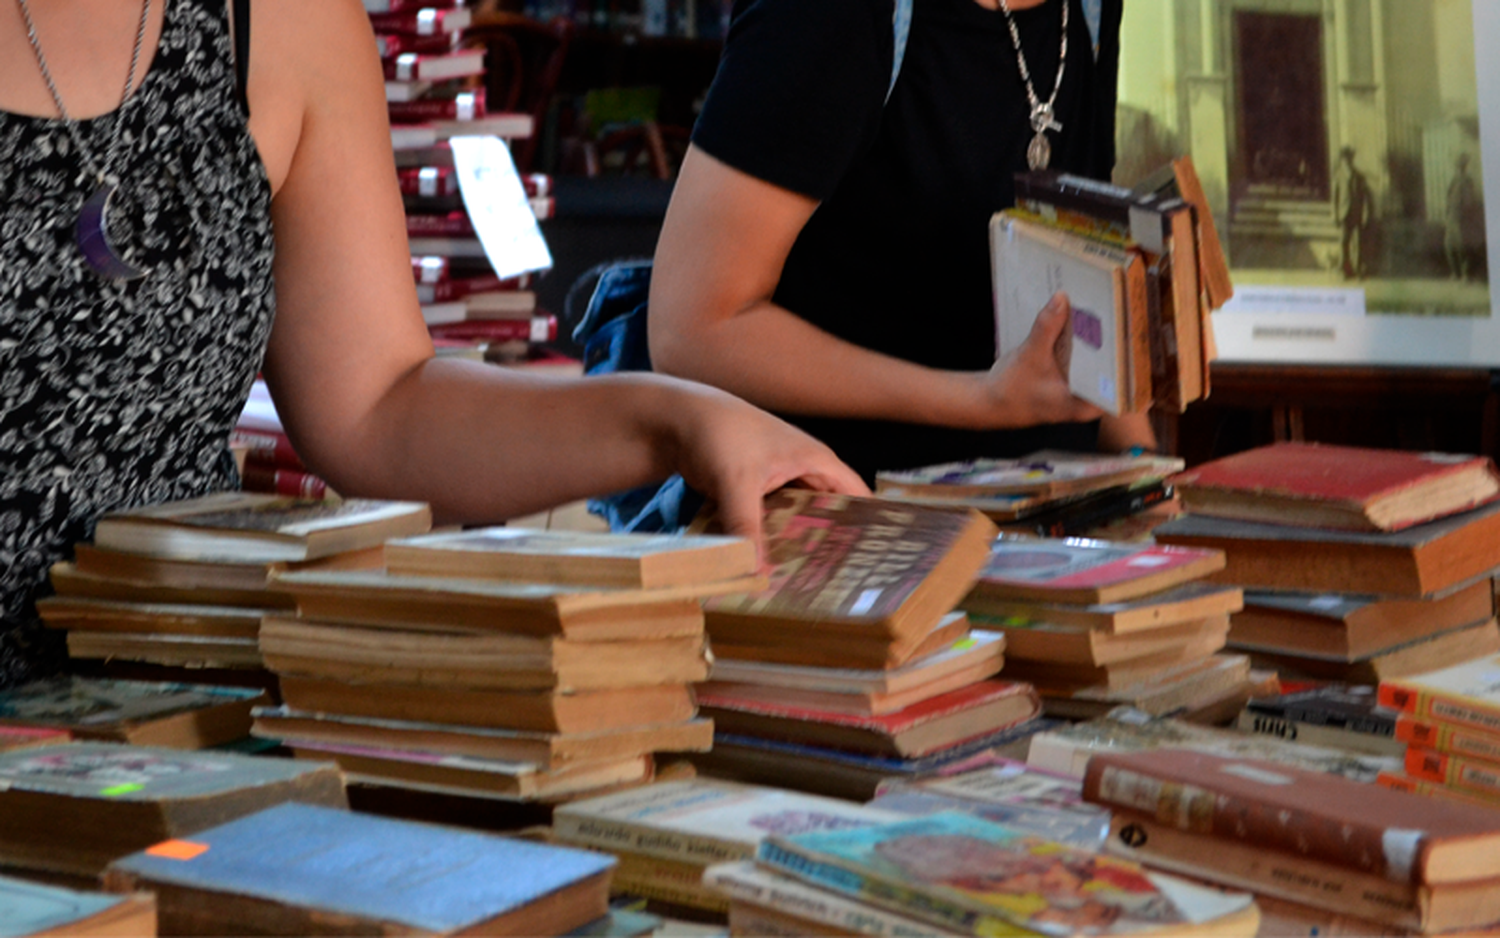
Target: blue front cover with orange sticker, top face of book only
[{"x": 418, "y": 876}]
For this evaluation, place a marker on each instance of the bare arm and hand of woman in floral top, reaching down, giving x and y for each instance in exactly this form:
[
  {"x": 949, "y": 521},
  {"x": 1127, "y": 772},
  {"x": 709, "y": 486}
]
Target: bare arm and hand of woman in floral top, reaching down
[{"x": 350, "y": 362}]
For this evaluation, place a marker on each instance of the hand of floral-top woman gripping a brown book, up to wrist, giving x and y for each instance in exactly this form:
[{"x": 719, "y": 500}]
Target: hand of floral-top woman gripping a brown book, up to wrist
[{"x": 736, "y": 454}]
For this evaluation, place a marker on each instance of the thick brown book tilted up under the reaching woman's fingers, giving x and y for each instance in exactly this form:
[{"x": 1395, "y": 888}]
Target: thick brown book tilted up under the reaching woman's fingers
[{"x": 854, "y": 568}]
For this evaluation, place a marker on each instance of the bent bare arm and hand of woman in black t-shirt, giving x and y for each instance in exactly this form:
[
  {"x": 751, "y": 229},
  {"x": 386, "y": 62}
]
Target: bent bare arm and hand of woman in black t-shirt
[{"x": 724, "y": 245}]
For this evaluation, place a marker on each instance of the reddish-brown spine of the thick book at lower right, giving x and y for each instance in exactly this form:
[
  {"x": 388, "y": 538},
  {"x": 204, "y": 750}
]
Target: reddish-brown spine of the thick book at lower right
[{"x": 1264, "y": 825}]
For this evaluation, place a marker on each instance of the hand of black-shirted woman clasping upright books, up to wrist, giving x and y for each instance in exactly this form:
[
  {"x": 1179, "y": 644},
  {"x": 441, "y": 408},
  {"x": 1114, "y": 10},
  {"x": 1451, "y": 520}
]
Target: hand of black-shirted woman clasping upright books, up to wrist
[{"x": 1030, "y": 386}]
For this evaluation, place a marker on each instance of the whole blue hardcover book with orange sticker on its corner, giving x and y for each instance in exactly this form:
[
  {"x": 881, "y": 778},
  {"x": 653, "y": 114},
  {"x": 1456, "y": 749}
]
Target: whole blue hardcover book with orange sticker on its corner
[{"x": 305, "y": 871}]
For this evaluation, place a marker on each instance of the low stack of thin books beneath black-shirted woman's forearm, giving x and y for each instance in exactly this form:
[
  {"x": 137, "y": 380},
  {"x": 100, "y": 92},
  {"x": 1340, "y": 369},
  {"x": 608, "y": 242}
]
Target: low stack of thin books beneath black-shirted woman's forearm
[{"x": 1051, "y": 493}]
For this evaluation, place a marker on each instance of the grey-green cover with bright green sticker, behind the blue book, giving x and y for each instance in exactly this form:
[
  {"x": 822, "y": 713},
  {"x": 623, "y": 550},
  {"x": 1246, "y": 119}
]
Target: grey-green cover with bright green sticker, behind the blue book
[{"x": 142, "y": 774}]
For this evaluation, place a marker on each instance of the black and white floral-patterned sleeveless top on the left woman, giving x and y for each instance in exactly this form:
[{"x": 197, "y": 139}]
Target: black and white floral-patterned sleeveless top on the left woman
[{"x": 116, "y": 395}]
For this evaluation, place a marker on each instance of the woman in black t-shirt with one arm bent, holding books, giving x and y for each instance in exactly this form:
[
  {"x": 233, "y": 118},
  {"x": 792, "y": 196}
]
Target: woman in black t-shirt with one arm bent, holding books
[{"x": 826, "y": 253}]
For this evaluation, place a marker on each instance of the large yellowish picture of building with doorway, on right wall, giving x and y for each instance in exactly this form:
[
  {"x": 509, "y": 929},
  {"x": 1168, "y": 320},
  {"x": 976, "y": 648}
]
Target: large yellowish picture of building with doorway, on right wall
[{"x": 1346, "y": 148}]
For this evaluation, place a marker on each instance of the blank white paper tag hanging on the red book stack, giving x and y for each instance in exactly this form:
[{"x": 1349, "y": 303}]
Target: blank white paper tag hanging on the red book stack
[{"x": 497, "y": 205}]
